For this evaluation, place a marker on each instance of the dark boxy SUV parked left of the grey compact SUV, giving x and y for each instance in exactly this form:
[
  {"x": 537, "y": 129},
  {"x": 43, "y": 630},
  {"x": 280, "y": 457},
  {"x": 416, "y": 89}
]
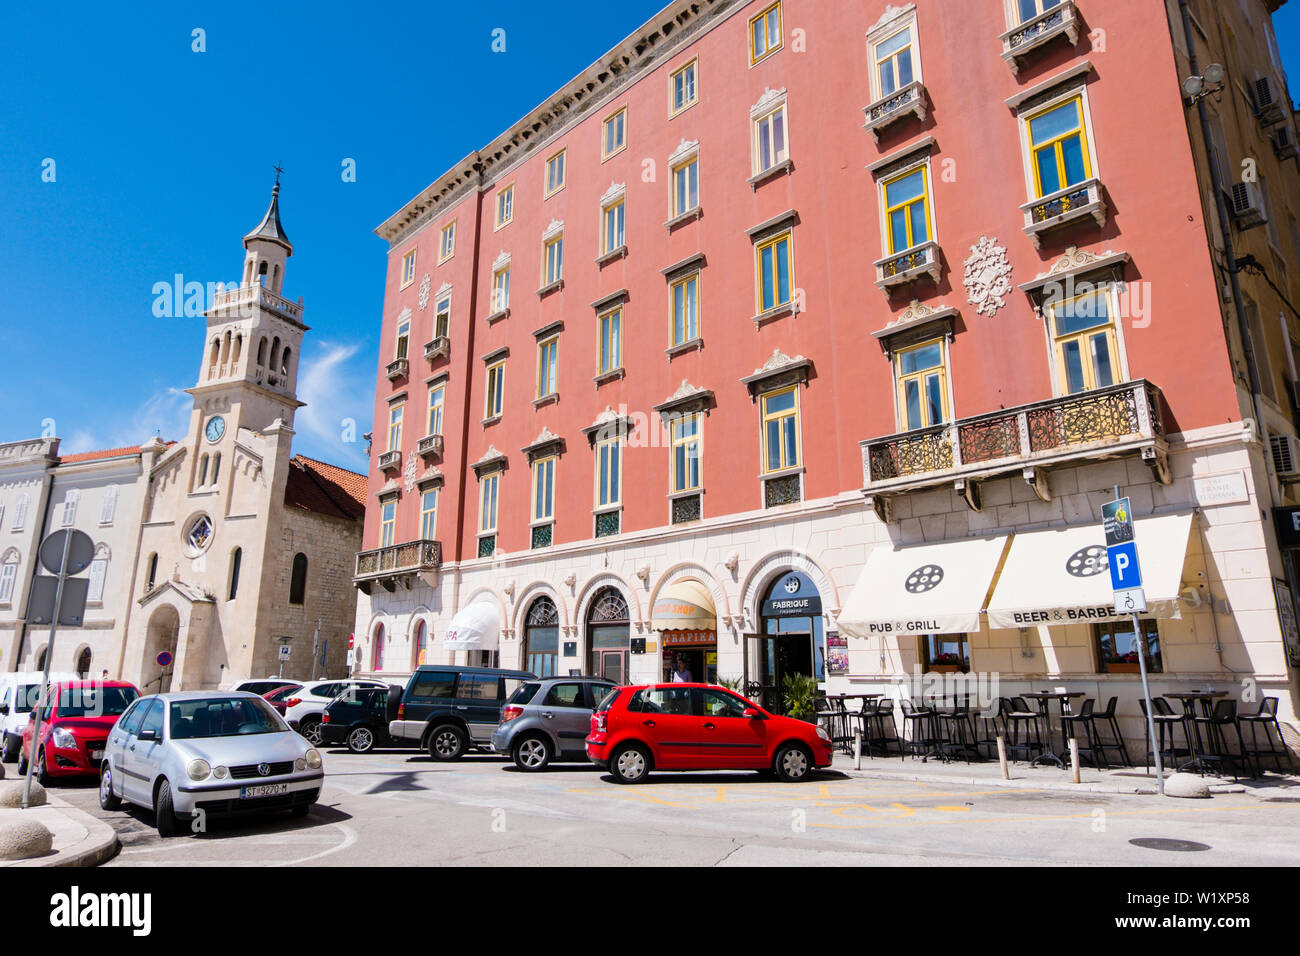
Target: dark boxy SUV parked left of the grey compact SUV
[{"x": 448, "y": 710}]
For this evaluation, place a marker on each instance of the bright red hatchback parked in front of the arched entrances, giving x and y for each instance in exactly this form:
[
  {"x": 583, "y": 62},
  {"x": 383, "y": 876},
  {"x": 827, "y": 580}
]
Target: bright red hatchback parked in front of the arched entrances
[{"x": 700, "y": 728}]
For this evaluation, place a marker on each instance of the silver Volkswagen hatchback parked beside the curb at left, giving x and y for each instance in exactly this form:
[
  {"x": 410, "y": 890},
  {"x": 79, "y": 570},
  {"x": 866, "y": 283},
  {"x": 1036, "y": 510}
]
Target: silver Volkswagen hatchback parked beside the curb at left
[{"x": 207, "y": 752}]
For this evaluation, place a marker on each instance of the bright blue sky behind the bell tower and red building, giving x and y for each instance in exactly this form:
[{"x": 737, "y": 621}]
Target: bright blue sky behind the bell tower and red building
[{"x": 163, "y": 161}]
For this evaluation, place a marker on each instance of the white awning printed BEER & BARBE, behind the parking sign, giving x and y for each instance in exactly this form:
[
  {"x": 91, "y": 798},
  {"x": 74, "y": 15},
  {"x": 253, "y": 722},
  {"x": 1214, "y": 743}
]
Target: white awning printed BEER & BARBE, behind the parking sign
[{"x": 1061, "y": 577}]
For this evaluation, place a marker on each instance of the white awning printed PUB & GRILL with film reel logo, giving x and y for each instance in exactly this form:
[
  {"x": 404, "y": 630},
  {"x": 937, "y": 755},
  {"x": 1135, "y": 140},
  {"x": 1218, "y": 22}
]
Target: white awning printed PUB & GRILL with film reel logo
[{"x": 935, "y": 589}]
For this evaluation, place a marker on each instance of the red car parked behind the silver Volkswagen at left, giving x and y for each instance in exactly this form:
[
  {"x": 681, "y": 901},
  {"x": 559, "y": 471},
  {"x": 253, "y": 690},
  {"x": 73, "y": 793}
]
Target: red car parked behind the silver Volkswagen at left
[{"x": 73, "y": 732}]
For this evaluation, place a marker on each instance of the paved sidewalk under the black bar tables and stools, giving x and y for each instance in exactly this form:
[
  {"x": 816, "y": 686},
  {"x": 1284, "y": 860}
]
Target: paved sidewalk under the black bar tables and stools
[{"x": 1272, "y": 786}]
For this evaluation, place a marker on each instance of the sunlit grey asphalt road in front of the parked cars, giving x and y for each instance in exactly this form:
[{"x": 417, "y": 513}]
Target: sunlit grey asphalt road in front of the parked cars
[{"x": 402, "y": 808}]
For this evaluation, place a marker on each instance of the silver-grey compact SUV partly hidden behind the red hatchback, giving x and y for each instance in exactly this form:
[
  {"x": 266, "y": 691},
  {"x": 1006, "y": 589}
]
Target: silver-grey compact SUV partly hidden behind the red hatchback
[{"x": 549, "y": 720}]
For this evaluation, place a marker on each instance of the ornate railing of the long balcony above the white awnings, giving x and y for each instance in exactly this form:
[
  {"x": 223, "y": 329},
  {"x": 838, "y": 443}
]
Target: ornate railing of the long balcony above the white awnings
[{"x": 1100, "y": 423}]
